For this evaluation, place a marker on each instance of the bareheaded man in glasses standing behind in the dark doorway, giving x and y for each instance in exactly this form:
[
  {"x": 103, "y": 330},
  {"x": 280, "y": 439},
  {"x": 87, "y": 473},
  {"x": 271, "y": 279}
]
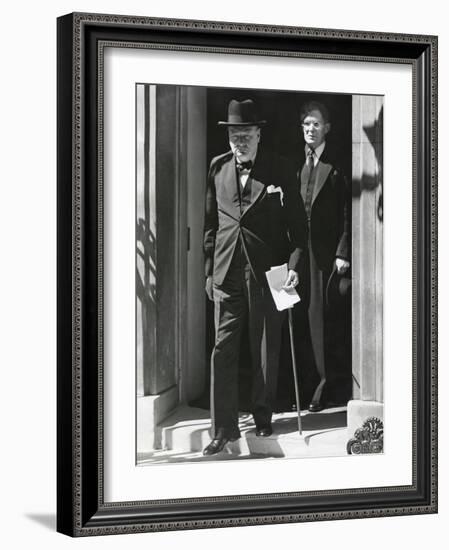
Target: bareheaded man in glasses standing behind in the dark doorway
[{"x": 325, "y": 194}]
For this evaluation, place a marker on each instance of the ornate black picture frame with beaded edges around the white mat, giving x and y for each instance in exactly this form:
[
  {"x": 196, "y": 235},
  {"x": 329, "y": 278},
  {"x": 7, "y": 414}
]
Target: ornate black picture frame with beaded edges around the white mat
[{"x": 82, "y": 507}]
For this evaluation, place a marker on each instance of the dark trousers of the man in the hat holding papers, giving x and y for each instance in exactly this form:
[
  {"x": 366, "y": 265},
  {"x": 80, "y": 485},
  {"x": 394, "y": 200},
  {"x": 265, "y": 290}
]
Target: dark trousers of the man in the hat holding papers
[{"x": 240, "y": 300}]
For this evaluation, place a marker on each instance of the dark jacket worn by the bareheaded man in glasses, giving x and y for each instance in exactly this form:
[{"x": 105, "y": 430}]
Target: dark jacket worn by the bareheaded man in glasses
[{"x": 330, "y": 213}]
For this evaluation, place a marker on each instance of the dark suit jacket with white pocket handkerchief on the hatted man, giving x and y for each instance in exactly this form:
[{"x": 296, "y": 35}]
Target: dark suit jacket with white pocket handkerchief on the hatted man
[{"x": 272, "y": 233}]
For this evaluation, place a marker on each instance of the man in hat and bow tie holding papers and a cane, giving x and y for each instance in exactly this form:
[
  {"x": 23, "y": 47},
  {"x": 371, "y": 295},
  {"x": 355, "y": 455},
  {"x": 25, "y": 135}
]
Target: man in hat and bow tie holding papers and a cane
[{"x": 254, "y": 220}]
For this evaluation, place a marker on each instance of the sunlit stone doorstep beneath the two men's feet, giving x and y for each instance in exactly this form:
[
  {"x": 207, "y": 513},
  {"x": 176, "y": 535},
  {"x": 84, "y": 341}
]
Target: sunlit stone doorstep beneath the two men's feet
[{"x": 186, "y": 432}]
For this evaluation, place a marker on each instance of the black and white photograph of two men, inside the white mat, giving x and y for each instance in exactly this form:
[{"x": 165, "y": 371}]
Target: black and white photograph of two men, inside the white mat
[{"x": 259, "y": 274}]
